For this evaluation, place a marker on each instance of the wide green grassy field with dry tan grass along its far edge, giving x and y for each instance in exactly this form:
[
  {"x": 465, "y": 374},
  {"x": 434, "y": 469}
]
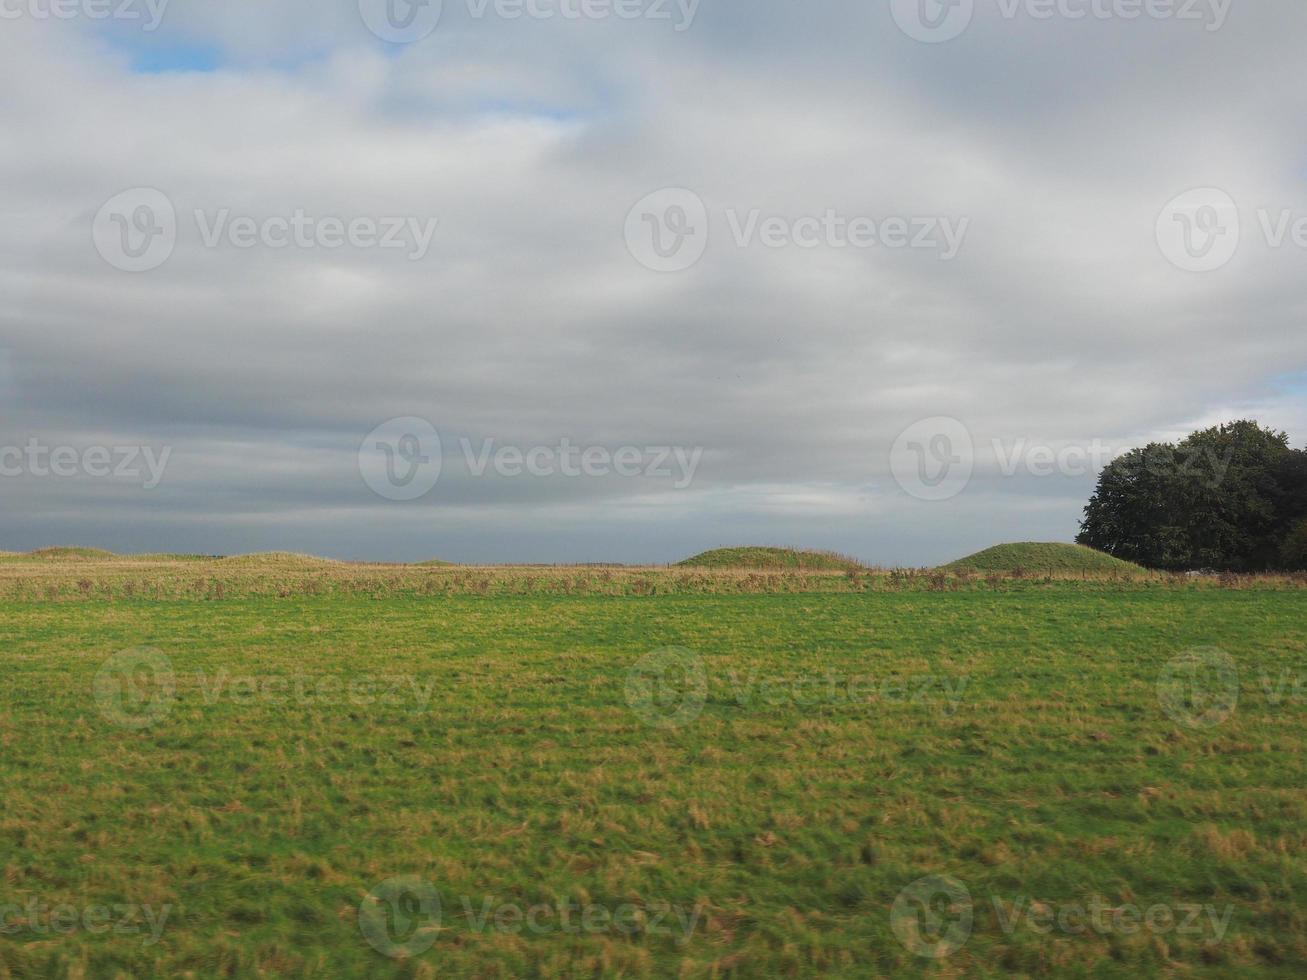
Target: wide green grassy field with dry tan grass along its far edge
[{"x": 290, "y": 768}]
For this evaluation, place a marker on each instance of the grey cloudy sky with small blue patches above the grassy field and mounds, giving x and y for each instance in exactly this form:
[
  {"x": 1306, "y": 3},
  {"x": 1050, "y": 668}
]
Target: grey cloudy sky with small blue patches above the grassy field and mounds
[{"x": 624, "y": 280}]
